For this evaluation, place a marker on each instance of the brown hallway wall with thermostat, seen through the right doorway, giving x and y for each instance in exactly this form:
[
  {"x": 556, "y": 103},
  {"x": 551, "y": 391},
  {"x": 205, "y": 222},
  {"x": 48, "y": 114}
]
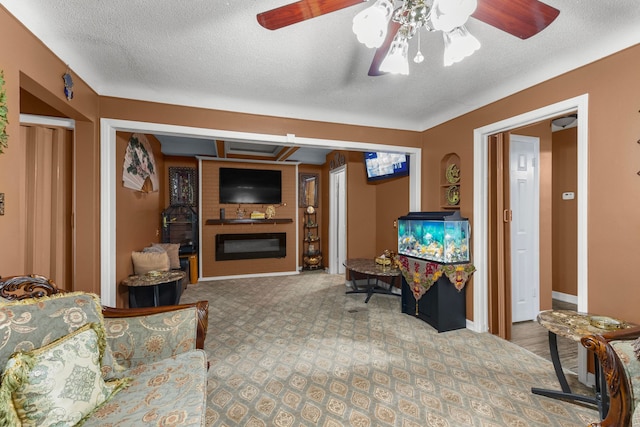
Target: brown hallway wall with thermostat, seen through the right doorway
[{"x": 565, "y": 227}]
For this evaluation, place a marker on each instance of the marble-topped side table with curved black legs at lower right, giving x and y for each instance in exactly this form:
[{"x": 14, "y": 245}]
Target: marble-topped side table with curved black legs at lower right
[{"x": 574, "y": 325}]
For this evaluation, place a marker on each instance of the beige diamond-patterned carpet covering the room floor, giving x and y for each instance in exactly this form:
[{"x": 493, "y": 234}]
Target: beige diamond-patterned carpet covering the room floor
[{"x": 296, "y": 351}]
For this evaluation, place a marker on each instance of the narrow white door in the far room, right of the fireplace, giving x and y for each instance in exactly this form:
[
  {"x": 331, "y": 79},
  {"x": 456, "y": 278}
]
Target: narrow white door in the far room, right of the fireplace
[{"x": 337, "y": 220}]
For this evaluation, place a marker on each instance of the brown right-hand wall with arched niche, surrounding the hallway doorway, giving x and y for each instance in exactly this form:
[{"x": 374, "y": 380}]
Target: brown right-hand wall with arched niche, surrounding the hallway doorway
[{"x": 614, "y": 126}]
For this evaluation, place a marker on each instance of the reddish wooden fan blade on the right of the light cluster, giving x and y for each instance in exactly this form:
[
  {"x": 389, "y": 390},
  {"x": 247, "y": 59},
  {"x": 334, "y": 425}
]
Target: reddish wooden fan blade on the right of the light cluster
[{"x": 521, "y": 18}]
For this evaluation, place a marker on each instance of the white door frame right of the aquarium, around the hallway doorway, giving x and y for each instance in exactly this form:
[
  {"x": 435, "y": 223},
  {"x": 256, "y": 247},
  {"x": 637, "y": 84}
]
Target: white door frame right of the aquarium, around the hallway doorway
[{"x": 481, "y": 135}]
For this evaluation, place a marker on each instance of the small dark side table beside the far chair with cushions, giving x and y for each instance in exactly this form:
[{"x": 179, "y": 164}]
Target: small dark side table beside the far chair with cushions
[{"x": 153, "y": 290}]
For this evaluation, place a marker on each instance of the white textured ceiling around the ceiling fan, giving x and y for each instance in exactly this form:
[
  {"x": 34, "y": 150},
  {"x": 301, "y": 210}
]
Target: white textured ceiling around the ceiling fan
[{"x": 213, "y": 54}]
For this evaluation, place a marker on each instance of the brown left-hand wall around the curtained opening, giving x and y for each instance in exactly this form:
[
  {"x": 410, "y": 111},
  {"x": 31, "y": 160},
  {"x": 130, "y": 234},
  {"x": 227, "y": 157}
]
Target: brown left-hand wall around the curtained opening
[{"x": 29, "y": 65}]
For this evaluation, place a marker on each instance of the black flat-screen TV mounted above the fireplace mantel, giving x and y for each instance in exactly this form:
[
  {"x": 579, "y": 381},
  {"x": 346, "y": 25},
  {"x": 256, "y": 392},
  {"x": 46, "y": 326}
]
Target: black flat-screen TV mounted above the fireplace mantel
[{"x": 253, "y": 186}]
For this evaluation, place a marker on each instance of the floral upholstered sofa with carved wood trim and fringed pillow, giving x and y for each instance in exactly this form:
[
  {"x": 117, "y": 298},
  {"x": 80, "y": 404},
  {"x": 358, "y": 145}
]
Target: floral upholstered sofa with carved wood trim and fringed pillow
[{"x": 66, "y": 360}]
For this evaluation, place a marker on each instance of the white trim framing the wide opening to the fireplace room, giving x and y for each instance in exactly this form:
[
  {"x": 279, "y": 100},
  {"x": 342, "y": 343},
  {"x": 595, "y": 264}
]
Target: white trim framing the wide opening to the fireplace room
[{"x": 109, "y": 127}]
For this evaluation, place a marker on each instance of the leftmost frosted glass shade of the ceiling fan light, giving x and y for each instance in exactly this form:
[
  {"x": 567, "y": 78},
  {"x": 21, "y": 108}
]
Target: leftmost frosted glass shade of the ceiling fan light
[{"x": 370, "y": 25}]
